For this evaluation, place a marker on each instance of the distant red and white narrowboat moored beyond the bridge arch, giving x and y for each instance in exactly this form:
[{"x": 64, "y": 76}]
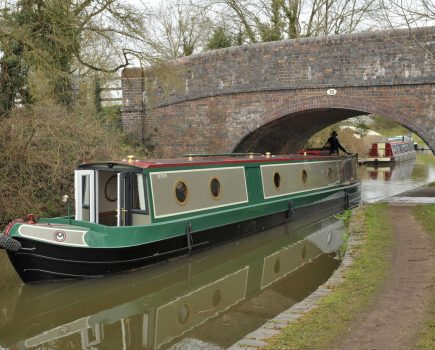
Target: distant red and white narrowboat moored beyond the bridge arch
[{"x": 394, "y": 149}]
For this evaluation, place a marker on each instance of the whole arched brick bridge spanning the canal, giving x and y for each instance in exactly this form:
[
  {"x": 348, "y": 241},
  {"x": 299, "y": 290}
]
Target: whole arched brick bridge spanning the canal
[{"x": 274, "y": 96}]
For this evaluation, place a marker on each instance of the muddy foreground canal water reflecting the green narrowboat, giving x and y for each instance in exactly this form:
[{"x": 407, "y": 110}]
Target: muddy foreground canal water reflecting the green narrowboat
[{"x": 205, "y": 301}]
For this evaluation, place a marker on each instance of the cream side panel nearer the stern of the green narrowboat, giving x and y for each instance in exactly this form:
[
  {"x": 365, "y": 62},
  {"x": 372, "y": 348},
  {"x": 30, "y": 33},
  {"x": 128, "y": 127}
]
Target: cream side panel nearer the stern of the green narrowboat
[{"x": 319, "y": 175}]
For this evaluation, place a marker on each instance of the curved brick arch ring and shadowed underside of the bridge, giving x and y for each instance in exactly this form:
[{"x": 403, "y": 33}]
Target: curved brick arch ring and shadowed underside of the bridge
[{"x": 288, "y": 126}]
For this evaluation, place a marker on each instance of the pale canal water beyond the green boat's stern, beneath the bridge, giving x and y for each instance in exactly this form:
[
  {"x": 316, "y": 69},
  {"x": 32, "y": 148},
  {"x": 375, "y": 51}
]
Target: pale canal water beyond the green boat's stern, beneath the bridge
[{"x": 383, "y": 181}]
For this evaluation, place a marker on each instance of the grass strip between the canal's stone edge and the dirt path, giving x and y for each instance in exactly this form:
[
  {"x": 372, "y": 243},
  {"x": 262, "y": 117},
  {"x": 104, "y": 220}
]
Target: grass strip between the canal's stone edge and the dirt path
[{"x": 320, "y": 328}]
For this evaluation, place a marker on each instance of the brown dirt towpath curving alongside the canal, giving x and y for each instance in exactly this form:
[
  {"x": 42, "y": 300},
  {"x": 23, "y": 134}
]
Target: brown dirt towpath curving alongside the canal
[{"x": 402, "y": 306}]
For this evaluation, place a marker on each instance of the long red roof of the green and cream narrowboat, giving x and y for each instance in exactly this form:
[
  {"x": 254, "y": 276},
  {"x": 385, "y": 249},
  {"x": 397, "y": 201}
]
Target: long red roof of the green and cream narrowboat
[{"x": 199, "y": 160}]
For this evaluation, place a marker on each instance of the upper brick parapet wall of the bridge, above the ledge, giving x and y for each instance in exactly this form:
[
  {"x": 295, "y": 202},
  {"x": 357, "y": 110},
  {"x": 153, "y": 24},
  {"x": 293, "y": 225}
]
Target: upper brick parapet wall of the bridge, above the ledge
[{"x": 353, "y": 60}]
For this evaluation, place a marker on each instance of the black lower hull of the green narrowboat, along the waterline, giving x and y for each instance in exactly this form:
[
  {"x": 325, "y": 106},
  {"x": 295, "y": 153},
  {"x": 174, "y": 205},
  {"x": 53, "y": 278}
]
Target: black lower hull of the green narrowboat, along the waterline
[{"x": 39, "y": 261}]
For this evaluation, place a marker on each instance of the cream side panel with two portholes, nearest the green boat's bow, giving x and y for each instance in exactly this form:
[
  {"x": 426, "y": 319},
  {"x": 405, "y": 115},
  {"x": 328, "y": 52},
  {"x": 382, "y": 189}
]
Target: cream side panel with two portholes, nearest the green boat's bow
[{"x": 232, "y": 190}]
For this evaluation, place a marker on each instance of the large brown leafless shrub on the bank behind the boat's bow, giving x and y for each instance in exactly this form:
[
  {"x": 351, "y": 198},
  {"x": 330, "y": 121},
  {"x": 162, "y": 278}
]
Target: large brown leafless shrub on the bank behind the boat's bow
[{"x": 39, "y": 148}]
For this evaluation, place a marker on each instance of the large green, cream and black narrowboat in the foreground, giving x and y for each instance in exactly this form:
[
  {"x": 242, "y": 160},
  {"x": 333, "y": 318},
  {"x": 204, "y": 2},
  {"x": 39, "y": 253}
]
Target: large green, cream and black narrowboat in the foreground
[{"x": 131, "y": 213}]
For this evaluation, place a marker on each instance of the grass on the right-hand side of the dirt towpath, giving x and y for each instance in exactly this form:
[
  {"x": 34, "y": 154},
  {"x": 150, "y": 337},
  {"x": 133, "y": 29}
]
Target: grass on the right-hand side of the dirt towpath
[{"x": 426, "y": 338}]
